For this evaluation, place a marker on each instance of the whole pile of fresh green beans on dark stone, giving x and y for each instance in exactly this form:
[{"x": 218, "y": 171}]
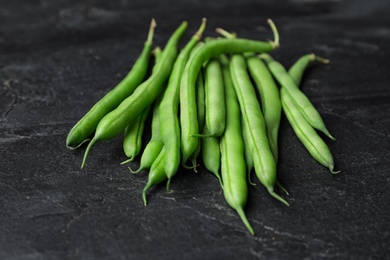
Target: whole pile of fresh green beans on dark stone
[{"x": 219, "y": 102}]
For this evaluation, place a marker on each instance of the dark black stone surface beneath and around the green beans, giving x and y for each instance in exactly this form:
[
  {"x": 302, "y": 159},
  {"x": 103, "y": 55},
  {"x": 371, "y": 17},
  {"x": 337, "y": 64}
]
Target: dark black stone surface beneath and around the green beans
[{"x": 57, "y": 58}]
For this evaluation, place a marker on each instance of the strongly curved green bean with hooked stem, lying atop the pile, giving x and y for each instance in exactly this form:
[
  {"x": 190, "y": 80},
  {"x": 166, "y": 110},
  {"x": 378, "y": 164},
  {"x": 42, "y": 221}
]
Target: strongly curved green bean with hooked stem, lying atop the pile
[{"x": 188, "y": 118}]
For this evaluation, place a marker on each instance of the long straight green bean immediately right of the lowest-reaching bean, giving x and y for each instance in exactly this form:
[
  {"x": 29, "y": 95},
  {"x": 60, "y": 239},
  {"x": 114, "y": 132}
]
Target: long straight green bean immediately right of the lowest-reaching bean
[{"x": 264, "y": 162}]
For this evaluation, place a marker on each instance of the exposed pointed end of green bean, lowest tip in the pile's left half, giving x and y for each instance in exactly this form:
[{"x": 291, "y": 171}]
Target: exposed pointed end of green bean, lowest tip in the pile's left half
[{"x": 156, "y": 174}]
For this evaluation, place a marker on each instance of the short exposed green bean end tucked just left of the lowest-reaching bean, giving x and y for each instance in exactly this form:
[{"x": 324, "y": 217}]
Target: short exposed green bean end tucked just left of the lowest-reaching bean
[{"x": 211, "y": 154}]
